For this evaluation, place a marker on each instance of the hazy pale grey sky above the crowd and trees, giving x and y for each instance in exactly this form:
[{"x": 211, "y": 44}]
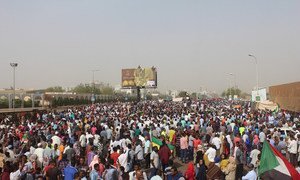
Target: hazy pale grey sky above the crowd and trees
[{"x": 192, "y": 43}]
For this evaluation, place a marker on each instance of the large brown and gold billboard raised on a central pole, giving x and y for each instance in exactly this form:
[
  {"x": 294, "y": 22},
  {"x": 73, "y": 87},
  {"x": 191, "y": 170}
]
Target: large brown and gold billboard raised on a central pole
[{"x": 142, "y": 77}]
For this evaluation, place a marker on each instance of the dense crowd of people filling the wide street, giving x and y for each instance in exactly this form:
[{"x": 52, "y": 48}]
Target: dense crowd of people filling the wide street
[{"x": 209, "y": 139}]
